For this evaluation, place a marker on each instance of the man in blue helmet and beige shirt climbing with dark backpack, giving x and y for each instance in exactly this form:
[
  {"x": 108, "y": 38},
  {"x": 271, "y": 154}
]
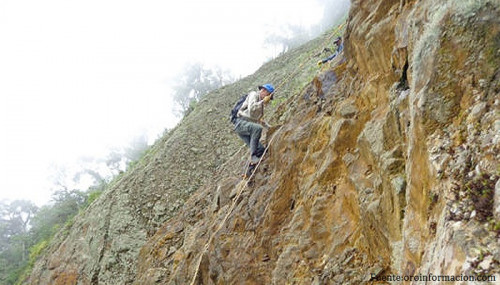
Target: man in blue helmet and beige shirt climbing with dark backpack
[{"x": 248, "y": 123}]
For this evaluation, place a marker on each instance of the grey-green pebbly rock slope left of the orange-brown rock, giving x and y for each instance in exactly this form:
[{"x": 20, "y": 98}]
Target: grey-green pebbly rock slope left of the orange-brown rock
[{"x": 103, "y": 243}]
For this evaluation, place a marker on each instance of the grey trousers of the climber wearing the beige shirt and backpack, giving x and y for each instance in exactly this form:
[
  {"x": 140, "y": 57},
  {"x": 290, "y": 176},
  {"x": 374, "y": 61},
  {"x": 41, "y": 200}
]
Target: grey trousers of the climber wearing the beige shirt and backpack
[{"x": 250, "y": 133}]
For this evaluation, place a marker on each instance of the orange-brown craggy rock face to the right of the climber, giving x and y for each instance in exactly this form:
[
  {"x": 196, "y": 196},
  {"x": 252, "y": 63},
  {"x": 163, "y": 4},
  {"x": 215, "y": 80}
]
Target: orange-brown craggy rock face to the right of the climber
[{"x": 391, "y": 170}]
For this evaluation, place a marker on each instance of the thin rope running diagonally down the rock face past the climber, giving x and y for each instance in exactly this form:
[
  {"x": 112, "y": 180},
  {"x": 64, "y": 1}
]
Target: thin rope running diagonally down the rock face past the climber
[{"x": 245, "y": 185}]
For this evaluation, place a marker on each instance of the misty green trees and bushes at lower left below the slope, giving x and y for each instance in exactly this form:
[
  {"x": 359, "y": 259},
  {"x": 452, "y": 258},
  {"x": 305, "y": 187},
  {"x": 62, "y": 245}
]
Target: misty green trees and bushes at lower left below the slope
[{"x": 26, "y": 230}]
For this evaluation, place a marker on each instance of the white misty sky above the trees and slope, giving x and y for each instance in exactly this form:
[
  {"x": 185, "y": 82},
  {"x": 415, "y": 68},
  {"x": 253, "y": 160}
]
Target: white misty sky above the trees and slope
[{"x": 79, "y": 77}]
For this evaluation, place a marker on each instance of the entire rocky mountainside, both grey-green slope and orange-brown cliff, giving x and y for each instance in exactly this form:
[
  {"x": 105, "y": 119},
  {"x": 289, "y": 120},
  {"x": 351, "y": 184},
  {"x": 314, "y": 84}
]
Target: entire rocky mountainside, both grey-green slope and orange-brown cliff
[{"x": 383, "y": 163}]
